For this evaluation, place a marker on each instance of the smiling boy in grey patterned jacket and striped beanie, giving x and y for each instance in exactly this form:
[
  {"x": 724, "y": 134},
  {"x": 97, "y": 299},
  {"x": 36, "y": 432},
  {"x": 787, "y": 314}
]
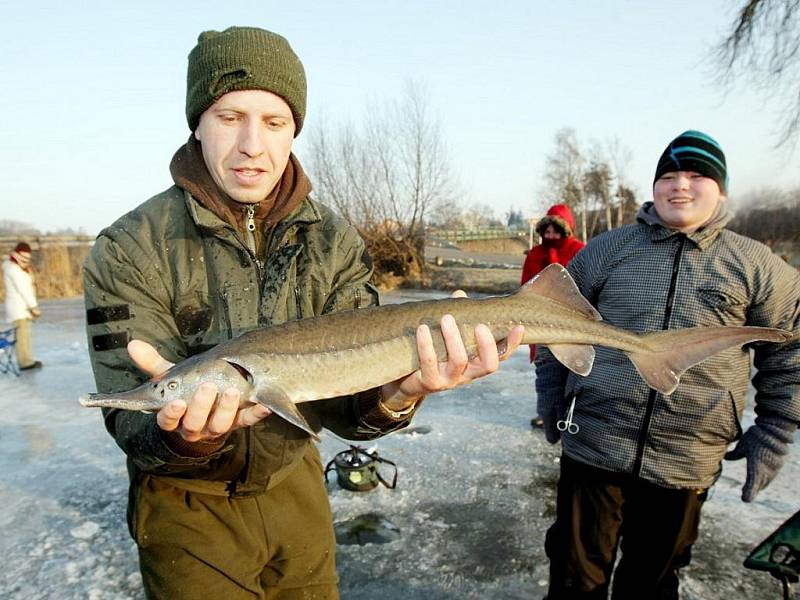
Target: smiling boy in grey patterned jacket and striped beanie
[{"x": 637, "y": 463}]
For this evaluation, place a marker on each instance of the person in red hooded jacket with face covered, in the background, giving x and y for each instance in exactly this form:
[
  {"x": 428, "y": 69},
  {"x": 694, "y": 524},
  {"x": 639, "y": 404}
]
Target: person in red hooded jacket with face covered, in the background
[{"x": 558, "y": 245}]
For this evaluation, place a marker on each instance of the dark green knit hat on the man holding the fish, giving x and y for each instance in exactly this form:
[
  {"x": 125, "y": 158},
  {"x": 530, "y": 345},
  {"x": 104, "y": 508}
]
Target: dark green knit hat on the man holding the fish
[{"x": 243, "y": 58}]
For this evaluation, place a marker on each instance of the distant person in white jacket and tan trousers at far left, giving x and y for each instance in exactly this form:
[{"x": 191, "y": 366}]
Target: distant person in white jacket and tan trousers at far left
[{"x": 21, "y": 305}]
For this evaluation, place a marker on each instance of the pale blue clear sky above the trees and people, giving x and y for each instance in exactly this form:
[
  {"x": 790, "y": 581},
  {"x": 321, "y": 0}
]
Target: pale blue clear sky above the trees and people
[{"x": 93, "y": 92}]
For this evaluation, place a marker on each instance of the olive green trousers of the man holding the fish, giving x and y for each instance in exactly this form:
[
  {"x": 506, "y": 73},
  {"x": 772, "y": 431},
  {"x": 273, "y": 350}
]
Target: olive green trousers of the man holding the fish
[{"x": 275, "y": 546}]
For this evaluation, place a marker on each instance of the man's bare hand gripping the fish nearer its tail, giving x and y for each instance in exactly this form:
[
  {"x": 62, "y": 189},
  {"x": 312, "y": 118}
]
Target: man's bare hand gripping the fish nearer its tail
[{"x": 434, "y": 376}]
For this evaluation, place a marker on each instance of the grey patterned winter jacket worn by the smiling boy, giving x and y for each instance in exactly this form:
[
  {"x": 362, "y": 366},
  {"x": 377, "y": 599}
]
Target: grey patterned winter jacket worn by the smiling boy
[{"x": 645, "y": 277}]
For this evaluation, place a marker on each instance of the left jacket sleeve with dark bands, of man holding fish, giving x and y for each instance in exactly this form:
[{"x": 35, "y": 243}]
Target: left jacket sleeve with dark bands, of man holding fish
[{"x": 126, "y": 299}]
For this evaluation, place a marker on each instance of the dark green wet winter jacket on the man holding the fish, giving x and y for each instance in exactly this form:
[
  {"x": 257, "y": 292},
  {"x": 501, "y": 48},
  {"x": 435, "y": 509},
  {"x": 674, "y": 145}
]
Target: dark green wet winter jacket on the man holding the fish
[{"x": 173, "y": 274}]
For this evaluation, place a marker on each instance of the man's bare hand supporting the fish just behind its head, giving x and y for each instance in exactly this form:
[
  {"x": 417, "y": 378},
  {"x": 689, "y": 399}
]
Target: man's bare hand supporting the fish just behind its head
[{"x": 207, "y": 415}]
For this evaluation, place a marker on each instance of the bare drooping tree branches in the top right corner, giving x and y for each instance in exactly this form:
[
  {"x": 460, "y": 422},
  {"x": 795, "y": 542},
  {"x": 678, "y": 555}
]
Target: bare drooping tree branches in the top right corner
[{"x": 764, "y": 43}]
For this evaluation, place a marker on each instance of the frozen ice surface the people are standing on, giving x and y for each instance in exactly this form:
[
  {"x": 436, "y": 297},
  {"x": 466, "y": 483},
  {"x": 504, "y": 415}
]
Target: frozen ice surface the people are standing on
[{"x": 474, "y": 496}]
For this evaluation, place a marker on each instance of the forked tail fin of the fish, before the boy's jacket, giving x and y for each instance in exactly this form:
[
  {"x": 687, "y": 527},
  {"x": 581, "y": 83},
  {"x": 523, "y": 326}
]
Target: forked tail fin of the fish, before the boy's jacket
[{"x": 668, "y": 354}]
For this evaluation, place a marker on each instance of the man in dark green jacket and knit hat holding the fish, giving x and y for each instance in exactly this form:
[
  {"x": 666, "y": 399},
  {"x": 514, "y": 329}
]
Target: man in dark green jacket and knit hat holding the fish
[{"x": 227, "y": 500}]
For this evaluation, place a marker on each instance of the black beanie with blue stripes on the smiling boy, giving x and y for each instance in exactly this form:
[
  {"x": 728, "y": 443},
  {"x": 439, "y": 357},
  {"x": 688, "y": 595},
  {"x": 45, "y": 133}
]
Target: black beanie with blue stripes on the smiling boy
[{"x": 698, "y": 152}]
